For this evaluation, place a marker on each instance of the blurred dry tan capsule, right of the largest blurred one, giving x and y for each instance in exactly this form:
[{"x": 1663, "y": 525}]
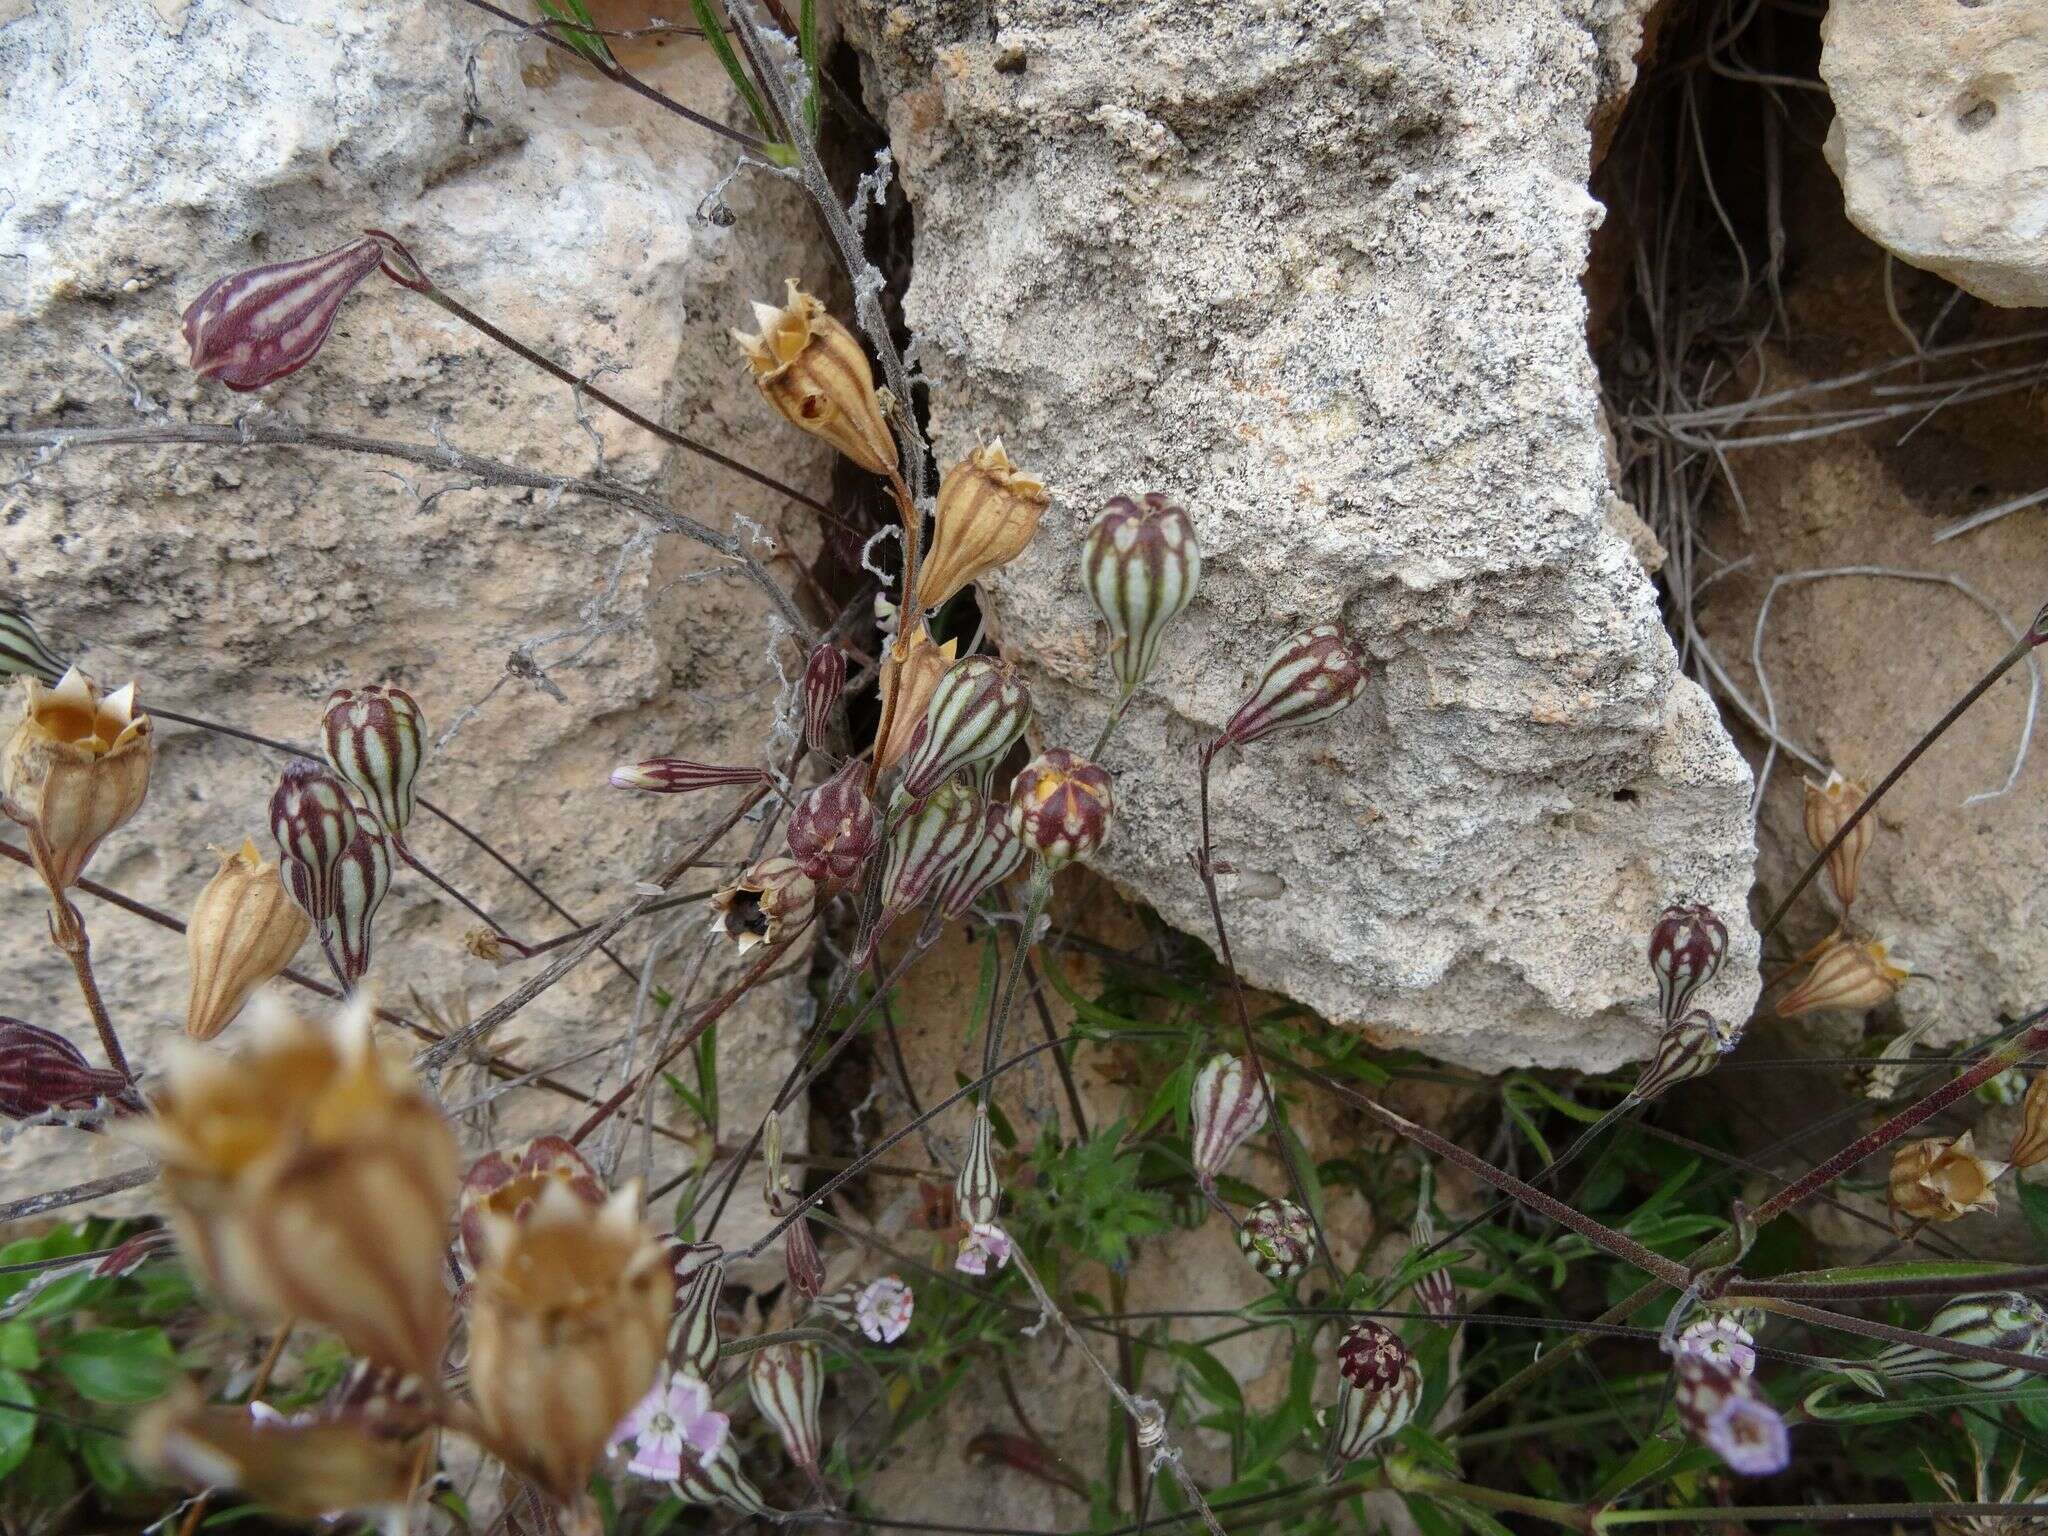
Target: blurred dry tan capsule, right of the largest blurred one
[{"x": 568, "y": 1326}]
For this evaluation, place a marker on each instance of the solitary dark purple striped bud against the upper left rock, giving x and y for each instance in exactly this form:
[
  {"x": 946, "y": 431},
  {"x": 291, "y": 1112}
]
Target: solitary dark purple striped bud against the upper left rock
[{"x": 253, "y": 329}]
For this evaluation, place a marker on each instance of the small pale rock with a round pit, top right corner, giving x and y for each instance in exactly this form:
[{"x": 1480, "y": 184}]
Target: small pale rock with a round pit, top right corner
[{"x": 1940, "y": 136}]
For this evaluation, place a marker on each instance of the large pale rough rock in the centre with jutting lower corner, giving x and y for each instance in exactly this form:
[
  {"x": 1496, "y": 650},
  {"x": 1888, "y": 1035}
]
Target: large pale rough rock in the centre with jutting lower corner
[{"x": 1316, "y": 271}]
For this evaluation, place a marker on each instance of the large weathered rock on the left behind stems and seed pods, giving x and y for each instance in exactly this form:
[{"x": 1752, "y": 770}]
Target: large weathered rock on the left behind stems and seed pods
[{"x": 146, "y": 148}]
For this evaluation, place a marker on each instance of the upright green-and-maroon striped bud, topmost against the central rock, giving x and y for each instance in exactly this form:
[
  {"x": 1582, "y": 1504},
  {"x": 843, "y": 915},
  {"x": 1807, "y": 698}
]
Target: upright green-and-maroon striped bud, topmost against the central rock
[{"x": 1142, "y": 564}]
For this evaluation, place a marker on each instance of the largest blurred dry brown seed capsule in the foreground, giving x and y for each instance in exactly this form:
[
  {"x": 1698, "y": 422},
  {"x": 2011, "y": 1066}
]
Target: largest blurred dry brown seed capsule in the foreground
[{"x": 310, "y": 1177}]
